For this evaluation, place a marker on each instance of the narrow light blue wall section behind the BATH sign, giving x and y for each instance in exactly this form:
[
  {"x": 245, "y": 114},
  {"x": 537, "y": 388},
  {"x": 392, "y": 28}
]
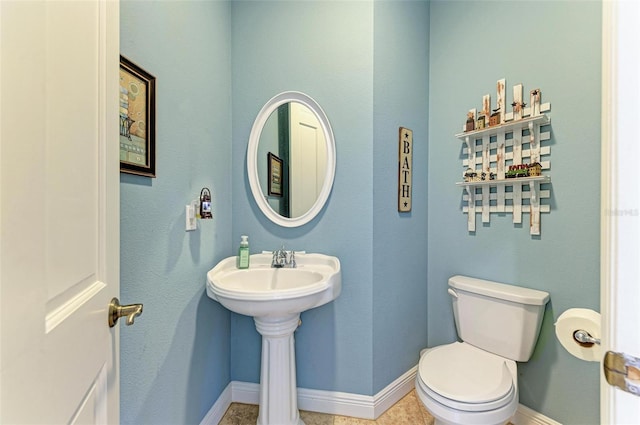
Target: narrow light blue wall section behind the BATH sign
[{"x": 401, "y": 63}]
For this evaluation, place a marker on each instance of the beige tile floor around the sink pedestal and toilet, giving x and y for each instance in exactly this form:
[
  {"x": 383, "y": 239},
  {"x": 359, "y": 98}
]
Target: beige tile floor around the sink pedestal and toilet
[{"x": 408, "y": 411}]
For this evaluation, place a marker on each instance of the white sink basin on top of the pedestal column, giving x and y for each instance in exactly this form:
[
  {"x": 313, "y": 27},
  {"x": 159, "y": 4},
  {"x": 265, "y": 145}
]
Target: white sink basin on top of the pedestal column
[{"x": 262, "y": 290}]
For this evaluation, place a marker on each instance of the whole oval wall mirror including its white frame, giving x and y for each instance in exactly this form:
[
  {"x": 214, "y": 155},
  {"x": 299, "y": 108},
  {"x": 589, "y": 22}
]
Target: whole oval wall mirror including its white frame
[{"x": 291, "y": 159}]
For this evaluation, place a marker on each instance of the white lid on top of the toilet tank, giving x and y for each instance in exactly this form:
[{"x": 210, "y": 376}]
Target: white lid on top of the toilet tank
[{"x": 501, "y": 291}]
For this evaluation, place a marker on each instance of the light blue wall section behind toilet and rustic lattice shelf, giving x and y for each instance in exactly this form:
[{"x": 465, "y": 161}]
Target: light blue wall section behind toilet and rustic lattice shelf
[{"x": 555, "y": 46}]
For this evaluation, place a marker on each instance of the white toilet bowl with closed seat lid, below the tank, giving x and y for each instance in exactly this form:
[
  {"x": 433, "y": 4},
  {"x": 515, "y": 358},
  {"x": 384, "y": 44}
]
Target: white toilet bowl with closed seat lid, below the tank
[{"x": 461, "y": 384}]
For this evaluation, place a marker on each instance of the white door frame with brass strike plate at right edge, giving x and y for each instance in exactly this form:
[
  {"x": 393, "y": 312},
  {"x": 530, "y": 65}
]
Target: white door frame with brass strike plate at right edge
[{"x": 620, "y": 261}]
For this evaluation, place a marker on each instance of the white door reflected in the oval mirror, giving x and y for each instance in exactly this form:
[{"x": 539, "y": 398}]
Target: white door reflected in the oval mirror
[{"x": 308, "y": 155}]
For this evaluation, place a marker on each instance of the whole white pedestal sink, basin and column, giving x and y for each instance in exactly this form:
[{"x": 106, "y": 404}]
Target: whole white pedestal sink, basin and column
[{"x": 275, "y": 297}]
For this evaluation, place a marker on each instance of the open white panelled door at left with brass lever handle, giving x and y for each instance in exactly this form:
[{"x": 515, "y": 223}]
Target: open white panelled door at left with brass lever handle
[{"x": 59, "y": 211}]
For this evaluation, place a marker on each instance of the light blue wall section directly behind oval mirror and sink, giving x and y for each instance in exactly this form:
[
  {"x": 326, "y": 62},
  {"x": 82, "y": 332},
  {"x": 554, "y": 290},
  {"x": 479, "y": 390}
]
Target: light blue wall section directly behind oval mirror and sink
[{"x": 324, "y": 49}]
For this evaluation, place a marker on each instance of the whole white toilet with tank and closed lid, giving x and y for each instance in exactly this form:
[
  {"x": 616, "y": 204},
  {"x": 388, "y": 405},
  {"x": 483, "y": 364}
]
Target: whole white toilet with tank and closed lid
[{"x": 475, "y": 382}]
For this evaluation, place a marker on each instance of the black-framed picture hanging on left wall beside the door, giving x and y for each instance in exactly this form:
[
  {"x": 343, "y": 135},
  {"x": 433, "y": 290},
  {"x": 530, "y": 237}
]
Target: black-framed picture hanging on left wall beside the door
[{"x": 137, "y": 120}]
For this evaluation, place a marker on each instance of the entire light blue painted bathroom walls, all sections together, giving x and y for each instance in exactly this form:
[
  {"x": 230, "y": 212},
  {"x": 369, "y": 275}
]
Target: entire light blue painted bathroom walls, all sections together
[{"x": 373, "y": 66}]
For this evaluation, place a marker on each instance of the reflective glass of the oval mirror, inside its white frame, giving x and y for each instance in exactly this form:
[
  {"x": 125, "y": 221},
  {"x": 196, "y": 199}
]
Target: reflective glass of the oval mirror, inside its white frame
[{"x": 294, "y": 135}]
